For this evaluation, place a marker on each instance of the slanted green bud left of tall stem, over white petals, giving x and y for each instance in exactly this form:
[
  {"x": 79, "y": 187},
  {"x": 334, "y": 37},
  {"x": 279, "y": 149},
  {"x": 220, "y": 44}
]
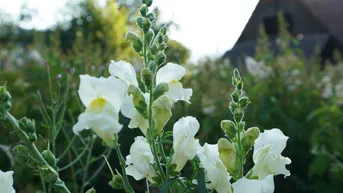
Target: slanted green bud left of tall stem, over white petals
[{"x": 138, "y": 100}]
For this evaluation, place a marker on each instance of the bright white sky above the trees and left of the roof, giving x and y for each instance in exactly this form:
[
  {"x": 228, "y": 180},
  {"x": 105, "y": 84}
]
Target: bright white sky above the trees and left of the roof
[{"x": 206, "y": 27}]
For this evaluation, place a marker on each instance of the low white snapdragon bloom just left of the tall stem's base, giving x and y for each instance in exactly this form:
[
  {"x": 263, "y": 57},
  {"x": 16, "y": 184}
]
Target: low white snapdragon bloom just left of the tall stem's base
[{"x": 139, "y": 162}]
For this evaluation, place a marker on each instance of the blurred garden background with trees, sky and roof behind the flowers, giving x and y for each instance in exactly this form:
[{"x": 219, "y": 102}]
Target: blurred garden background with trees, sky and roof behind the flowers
[{"x": 288, "y": 51}]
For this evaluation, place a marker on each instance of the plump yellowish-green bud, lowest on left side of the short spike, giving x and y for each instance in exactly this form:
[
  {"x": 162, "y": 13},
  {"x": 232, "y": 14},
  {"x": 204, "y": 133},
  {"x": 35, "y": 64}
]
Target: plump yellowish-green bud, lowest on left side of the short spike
[{"x": 227, "y": 154}]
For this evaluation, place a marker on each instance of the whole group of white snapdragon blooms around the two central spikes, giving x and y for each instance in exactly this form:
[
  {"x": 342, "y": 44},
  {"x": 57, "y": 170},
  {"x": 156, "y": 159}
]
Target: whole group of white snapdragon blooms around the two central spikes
[{"x": 104, "y": 98}]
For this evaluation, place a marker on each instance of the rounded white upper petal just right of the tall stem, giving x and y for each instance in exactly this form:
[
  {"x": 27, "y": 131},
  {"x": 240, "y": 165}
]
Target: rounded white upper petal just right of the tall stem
[{"x": 170, "y": 72}]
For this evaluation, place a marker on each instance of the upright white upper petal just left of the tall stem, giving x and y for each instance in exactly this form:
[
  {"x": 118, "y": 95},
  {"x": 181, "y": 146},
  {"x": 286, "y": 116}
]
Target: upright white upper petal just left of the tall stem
[{"x": 124, "y": 71}]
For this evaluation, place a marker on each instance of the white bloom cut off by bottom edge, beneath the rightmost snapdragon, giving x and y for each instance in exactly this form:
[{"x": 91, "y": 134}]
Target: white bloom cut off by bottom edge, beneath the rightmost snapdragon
[{"x": 243, "y": 185}]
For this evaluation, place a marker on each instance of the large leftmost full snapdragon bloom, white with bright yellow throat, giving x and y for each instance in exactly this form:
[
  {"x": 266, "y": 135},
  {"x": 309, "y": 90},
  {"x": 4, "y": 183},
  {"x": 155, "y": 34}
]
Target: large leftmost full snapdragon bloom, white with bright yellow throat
[{"x": 102, "y": 98}]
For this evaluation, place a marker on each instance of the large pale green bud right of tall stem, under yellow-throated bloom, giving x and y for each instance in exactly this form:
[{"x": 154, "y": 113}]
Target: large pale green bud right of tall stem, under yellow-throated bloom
[{"x": 161, "y": 113}]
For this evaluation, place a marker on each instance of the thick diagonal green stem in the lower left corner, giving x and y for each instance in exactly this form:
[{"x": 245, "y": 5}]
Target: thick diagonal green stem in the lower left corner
[{"x": 33, "y": 149}]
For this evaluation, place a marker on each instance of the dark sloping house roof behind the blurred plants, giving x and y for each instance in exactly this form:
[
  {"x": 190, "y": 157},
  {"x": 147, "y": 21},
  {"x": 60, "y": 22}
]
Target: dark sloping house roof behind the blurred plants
[{"x": 317, "y": 20}]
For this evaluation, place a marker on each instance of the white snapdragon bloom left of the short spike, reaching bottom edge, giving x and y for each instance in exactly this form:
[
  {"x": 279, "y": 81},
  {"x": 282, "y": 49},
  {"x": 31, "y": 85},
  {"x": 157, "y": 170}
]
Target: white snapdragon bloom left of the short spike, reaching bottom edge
[{"x": 216, "y": 175}]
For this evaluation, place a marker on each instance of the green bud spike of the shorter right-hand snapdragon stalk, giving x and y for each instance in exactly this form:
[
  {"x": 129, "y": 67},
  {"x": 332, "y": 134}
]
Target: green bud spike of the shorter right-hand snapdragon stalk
[{"x": 239, "y": 141}]
